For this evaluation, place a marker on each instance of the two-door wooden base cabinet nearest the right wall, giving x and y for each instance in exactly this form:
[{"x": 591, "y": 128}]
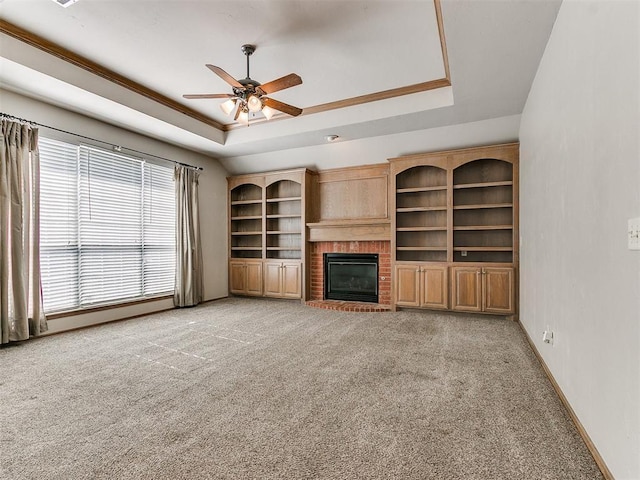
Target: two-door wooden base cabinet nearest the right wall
[{"x": 482, "y": 289}]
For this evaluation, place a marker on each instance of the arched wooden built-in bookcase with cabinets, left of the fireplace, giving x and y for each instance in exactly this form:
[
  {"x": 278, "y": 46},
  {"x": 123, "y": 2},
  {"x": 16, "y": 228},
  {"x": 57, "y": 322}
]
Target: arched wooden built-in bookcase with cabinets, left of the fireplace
[{"x": 267, "y": 225}]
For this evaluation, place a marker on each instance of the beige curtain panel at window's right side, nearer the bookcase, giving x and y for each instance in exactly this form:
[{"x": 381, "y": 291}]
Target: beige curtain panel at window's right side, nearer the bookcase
[{"x": 188, "y": 288}]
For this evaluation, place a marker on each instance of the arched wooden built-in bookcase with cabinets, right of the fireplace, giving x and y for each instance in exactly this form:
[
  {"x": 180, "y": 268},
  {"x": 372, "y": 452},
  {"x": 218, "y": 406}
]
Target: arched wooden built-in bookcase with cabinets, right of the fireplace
[{"x": 454, "y": 229}]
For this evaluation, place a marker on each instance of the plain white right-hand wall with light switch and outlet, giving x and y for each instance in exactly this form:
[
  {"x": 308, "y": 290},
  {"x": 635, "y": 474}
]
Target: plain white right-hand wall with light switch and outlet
[{"x": 580, "y": 183}]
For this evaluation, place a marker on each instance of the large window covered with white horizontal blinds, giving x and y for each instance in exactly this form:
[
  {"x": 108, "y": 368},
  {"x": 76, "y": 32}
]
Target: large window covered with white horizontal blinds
[{"x": 107, "y": 227}]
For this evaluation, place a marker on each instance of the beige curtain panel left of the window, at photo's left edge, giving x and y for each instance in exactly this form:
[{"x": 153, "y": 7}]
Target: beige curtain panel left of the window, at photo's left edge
[{"x": 21, "y": 313}]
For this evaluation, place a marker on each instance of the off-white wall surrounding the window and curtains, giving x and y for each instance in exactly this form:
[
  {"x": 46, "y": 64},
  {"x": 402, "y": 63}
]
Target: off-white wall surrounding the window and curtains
[{"x": 212, "y": 194}]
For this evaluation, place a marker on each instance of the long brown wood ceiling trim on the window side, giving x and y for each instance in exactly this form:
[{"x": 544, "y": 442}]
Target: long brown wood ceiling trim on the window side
[{"x": 79, "y": 61}]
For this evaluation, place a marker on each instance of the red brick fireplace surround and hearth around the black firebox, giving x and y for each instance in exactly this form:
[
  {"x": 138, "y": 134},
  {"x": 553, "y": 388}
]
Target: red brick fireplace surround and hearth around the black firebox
[{"x": 382, "y": 248}]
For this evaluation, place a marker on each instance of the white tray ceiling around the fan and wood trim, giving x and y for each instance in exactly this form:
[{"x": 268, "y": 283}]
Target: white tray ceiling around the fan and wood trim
[{"x": 341, "y": 49}]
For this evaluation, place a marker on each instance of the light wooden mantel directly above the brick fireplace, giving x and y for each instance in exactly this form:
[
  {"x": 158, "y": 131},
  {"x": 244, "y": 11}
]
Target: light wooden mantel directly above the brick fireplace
[{"x": 350, "y": 230}]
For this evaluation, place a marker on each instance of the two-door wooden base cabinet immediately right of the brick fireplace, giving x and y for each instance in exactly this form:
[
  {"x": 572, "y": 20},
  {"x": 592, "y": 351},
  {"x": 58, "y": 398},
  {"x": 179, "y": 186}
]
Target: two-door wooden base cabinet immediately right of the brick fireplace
[{"x": 421, "y": 285}]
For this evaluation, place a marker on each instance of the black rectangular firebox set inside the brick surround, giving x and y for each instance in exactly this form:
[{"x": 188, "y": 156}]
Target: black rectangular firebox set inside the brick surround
[{"x": 351, "y": 276}]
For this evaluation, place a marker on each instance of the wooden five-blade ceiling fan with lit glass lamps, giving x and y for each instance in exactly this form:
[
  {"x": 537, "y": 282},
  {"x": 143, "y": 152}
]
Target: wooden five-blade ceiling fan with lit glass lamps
[{"x": 249, "y": 96}]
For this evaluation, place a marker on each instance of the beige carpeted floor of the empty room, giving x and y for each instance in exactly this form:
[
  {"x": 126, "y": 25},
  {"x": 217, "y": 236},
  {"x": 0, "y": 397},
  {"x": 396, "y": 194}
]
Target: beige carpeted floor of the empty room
[{"x": 264, "y": 389}]
